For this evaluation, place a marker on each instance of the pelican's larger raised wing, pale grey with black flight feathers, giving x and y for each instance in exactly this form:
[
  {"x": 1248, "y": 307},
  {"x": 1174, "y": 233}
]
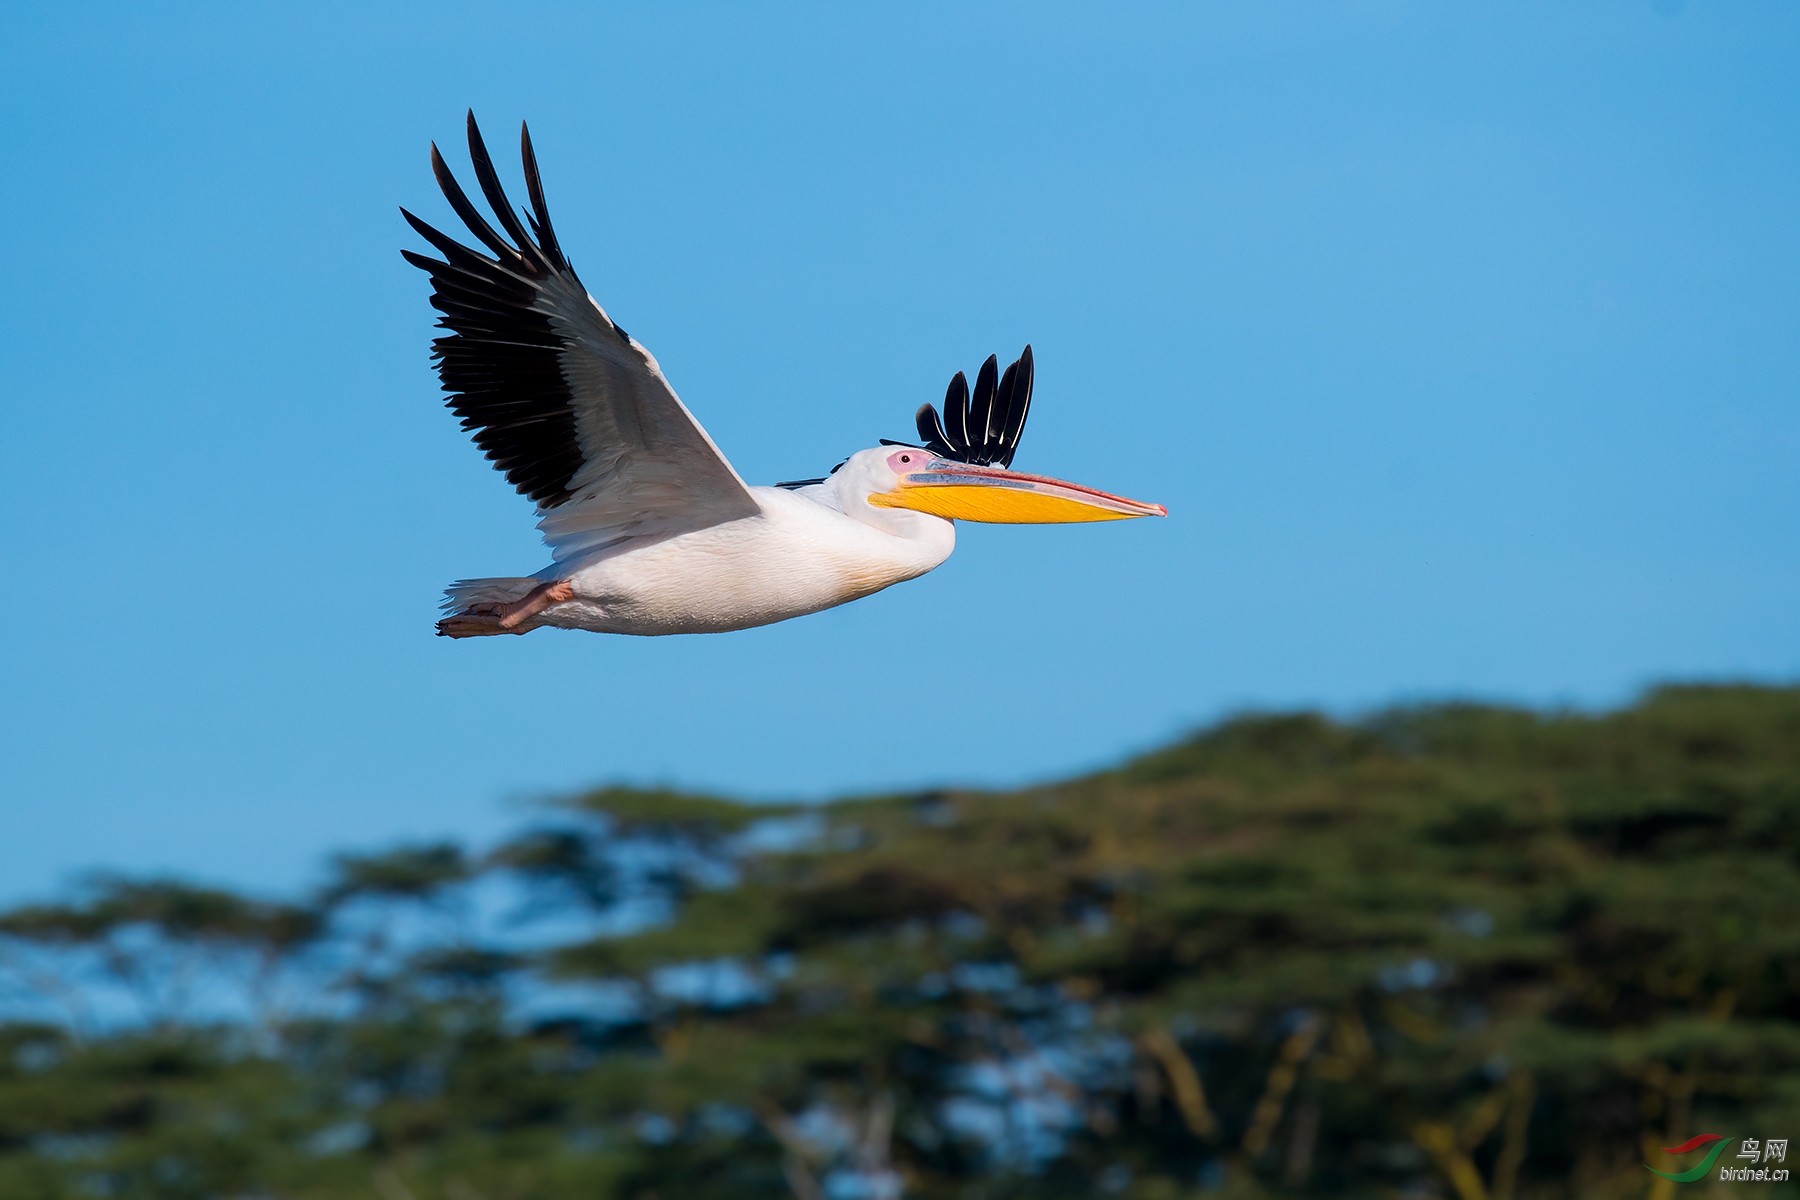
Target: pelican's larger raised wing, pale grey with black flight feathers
[{"x": 555, "y": 393}]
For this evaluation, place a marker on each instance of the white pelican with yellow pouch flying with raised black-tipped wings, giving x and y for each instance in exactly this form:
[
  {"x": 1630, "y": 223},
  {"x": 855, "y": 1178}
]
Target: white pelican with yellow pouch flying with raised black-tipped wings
[{"x": 651, "y": 528}]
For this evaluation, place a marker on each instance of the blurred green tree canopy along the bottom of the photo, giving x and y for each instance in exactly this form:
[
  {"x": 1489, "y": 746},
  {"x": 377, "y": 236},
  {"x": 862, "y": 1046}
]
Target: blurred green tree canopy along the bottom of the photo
[{"x": 1441, "y": 953}]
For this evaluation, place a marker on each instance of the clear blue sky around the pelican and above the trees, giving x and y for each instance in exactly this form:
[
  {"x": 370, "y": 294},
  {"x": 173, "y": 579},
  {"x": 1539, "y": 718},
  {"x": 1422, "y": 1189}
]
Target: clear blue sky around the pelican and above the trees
[{"x": 1462, "y": 343}]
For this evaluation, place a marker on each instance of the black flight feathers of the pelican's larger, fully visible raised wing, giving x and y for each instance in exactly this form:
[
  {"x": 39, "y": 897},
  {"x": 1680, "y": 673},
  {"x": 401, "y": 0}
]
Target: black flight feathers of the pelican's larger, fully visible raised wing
[{"x": 501, "y": 361}]
